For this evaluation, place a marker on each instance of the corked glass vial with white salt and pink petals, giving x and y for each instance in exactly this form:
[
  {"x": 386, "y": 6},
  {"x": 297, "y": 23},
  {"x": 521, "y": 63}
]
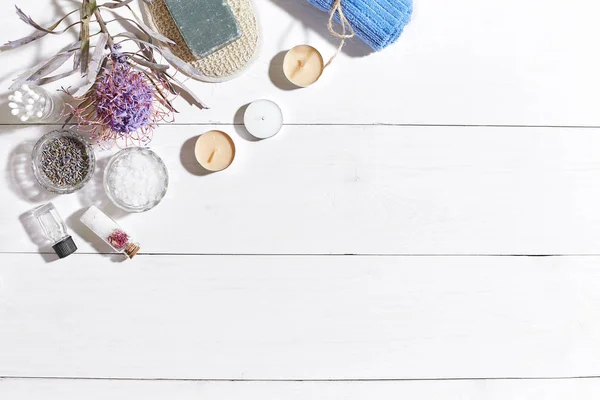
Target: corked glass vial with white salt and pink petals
[{"x": 109, "y": 231}]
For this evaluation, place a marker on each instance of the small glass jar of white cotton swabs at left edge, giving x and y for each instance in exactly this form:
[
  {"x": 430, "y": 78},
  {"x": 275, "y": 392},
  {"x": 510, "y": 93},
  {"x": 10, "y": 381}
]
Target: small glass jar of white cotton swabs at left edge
[{"x": 31, "y": 103}]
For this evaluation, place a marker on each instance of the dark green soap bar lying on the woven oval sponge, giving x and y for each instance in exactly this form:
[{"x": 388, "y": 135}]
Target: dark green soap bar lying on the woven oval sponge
[{"x": 206, "y": 25}]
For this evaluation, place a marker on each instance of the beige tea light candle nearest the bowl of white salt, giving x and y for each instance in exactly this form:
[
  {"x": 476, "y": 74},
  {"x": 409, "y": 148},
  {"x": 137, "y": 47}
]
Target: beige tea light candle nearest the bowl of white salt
[{"x": 215, "y": 150}]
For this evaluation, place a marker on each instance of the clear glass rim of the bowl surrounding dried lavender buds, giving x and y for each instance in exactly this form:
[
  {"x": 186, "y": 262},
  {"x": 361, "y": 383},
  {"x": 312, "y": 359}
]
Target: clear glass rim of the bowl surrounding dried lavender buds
[{"x": 36, "y": 162}]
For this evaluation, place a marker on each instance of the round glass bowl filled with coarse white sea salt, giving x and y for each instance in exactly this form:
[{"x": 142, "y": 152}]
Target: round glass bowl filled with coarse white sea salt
[{"x": 136, "y": 179}]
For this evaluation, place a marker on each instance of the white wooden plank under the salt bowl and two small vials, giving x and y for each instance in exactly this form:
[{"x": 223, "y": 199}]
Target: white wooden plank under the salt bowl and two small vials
[{"x": 337, "y": 189}]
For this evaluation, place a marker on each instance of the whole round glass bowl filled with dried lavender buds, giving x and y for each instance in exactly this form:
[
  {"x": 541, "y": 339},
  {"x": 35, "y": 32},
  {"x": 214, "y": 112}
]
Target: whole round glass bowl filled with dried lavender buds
[{"x": 63, "y": 161}]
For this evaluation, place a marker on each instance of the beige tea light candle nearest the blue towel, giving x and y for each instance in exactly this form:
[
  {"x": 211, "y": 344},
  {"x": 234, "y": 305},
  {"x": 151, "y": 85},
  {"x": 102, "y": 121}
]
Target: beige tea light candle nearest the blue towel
[{"x": 303, "y": 65}]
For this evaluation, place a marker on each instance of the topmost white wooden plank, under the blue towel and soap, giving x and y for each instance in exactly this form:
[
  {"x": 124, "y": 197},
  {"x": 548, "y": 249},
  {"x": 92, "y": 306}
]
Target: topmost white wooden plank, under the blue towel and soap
[{"x": 460, "y": 62}]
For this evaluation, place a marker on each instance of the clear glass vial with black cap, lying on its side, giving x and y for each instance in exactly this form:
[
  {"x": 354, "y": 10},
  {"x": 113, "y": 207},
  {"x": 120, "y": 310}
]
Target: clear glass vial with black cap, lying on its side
[{"x": 55, "y": 230}]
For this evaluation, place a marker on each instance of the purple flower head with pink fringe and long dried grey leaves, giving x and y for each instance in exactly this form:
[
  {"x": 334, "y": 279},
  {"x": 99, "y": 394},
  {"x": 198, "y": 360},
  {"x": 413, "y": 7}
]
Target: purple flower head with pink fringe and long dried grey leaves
[{"x": 142, "y": 85}]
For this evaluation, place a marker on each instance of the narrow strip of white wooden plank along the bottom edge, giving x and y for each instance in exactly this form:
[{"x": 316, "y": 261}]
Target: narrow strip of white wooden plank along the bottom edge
[{"x": 31, "y": 389}]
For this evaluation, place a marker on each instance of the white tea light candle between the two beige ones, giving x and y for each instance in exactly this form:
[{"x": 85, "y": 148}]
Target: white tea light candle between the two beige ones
[{"x": 263, "y": 119}]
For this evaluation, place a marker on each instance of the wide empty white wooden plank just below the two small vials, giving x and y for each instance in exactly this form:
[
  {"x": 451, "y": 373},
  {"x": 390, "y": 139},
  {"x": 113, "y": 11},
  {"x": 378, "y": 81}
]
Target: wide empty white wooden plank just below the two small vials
[{"x": 257, "y": 317}]
